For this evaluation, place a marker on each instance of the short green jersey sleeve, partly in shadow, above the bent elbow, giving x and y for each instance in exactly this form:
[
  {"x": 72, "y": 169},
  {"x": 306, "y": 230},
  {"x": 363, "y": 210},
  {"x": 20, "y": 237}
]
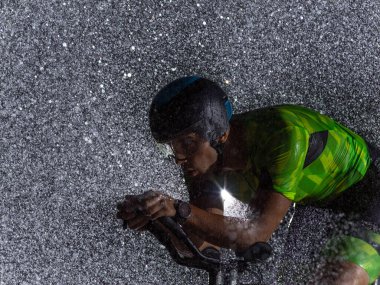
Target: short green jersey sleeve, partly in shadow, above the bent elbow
[{"x": 282, "y": 155}]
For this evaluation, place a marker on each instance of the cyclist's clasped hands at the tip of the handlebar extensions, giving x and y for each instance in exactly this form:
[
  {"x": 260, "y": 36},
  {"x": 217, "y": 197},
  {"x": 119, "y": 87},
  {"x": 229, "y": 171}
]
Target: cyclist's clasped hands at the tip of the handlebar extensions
[{"x": 138, "y": 210}]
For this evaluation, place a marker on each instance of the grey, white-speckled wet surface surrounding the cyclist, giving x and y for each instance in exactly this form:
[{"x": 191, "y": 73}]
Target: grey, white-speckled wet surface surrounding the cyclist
[{"x": 76, "y": 80}]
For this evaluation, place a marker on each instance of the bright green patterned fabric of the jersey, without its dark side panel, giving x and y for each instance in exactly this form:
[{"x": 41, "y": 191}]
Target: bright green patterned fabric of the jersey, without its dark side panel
[{"x": 279, "y": 137}]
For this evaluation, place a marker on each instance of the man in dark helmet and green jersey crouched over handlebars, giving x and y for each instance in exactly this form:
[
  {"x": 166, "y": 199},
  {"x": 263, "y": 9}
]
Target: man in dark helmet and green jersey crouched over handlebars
[{"x": 267, "y": 158}]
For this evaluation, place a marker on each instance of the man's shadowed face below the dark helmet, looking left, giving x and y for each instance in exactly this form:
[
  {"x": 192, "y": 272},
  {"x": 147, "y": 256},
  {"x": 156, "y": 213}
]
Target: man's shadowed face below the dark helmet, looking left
[{"x": 193, "y": 153}]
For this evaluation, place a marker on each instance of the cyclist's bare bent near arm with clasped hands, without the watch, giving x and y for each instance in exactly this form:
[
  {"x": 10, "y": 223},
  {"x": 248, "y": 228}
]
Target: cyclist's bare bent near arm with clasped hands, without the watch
[{"x": 235, "y": 233}]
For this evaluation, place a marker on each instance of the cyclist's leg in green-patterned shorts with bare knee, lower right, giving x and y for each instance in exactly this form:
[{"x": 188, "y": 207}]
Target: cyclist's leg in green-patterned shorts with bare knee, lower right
[{"x": 360, "y": 250}]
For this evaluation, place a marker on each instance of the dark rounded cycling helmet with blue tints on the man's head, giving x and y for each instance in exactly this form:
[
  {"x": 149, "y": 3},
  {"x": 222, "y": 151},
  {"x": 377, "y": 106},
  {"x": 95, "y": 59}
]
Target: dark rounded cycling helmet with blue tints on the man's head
[{"x": 190, "y": 104}]
